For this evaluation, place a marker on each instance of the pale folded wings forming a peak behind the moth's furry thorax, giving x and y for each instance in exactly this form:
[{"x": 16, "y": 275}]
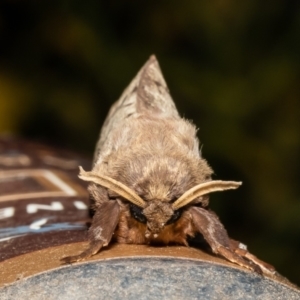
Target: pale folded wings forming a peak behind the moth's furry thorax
[{"x": 146, "y": 95}]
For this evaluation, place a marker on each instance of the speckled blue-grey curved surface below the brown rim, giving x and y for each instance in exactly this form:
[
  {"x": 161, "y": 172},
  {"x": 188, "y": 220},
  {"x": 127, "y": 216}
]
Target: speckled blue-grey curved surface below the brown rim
[{"x": 148, "y": 278}]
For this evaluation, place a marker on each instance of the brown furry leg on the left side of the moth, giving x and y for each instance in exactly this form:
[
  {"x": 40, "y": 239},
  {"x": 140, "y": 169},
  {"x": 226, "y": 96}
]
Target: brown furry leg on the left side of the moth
[{"x": 101, "y": 231}]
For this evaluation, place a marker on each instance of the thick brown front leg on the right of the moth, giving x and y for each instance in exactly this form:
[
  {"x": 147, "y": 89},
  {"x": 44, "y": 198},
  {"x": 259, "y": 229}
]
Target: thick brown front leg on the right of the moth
[{"x": 207, "y": 223}]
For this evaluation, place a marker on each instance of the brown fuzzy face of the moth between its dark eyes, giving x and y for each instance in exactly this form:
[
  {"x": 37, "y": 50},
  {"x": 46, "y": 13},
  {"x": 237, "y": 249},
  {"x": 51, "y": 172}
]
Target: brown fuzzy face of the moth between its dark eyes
[{"x": 158, "y": 214}]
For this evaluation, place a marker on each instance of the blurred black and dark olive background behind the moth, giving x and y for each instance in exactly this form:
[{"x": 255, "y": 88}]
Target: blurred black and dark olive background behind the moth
[{"x": 232, "y": 66}]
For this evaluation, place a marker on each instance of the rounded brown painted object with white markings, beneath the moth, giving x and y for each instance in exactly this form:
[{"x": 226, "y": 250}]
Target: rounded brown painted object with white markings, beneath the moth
[{"x": 43, "y": 215}]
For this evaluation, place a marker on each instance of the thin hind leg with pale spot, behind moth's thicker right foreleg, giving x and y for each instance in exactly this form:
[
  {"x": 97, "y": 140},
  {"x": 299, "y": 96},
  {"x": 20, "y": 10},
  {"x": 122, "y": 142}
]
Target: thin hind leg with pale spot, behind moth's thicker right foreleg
[{"x": 241, "y": 249}]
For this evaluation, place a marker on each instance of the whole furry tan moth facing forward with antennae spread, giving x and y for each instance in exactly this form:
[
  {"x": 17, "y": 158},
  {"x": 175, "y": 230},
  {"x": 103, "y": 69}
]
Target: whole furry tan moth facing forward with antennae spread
[{"x": 149, "y": 182}]
